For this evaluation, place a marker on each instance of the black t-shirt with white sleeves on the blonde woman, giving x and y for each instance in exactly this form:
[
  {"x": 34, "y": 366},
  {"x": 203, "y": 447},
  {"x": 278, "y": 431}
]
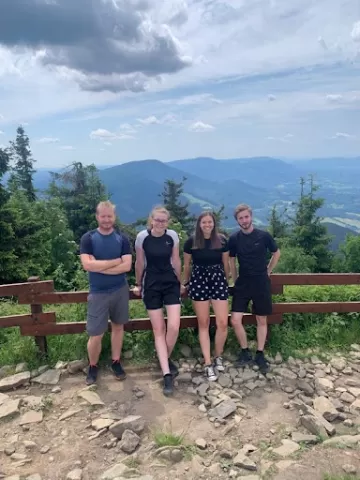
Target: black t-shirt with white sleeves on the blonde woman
[{"x": 157, "y": 250}]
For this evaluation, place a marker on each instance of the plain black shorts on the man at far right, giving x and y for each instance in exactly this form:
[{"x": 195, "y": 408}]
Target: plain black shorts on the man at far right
[{"x": 256, "y": 289}]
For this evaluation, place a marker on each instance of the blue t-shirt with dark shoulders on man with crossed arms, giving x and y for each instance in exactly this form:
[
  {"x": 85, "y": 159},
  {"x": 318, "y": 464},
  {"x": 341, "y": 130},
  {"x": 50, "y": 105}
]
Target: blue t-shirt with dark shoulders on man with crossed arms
[{"x": 105, "y": 247}]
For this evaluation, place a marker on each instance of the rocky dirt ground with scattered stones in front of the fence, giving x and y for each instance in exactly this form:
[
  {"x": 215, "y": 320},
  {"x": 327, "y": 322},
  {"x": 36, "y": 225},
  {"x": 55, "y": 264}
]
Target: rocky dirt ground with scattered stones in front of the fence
[{"x": 302, "y": 419}]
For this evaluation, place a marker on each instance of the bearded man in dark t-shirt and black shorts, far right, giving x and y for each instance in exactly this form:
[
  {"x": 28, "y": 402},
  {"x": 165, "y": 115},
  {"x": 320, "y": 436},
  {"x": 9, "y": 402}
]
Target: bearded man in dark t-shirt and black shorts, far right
[{"x": 251, "y": 246}]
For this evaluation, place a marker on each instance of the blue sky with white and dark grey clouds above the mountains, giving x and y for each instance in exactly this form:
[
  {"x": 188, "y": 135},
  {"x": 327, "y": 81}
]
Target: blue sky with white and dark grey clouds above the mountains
[{"x": 135, "y": 79}]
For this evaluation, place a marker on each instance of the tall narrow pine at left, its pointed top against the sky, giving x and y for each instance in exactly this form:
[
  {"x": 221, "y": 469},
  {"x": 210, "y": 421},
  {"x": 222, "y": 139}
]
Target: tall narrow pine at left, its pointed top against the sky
[{"x": 22, "y": 168}]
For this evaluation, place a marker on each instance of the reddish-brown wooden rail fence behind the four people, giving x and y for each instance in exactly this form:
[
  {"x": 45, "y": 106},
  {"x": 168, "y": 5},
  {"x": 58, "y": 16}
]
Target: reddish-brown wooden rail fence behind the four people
[{"x": 39, "y": 324}]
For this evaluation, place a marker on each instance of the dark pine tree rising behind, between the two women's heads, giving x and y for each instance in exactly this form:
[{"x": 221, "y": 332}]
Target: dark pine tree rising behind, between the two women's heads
[{"x": 171, "y": 200}]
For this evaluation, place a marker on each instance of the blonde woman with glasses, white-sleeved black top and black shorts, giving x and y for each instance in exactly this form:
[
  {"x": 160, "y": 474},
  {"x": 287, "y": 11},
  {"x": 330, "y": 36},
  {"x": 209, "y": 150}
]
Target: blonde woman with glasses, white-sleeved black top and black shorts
[{"x": 158, "y": 281}]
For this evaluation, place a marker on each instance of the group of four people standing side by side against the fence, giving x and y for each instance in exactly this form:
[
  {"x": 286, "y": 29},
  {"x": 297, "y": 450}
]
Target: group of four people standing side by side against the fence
[{"x": 209, "y": 263}]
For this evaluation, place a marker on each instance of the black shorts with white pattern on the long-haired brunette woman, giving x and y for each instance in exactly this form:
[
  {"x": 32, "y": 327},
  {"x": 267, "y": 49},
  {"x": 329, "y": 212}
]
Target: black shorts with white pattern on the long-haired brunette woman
[{"x": 208, "y": 283}]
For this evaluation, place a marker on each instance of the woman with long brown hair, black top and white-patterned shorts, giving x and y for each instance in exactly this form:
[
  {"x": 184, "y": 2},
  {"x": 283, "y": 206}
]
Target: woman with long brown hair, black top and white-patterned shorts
[{"x": 206, "y": 274}]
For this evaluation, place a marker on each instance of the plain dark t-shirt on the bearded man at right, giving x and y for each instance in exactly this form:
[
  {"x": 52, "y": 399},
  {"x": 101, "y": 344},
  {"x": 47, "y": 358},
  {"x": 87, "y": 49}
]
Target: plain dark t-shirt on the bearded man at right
[{"x": 251, "y": 250}]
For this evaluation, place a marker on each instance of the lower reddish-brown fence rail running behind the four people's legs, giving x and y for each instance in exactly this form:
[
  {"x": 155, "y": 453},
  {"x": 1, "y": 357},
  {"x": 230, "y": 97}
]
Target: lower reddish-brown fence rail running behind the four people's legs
[{"x": 133, "y": 325}]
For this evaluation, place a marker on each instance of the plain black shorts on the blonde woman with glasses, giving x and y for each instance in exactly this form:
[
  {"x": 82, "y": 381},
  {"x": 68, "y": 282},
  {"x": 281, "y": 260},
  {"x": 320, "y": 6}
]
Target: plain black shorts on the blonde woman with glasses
[{"x": 158, "y": 292}]
